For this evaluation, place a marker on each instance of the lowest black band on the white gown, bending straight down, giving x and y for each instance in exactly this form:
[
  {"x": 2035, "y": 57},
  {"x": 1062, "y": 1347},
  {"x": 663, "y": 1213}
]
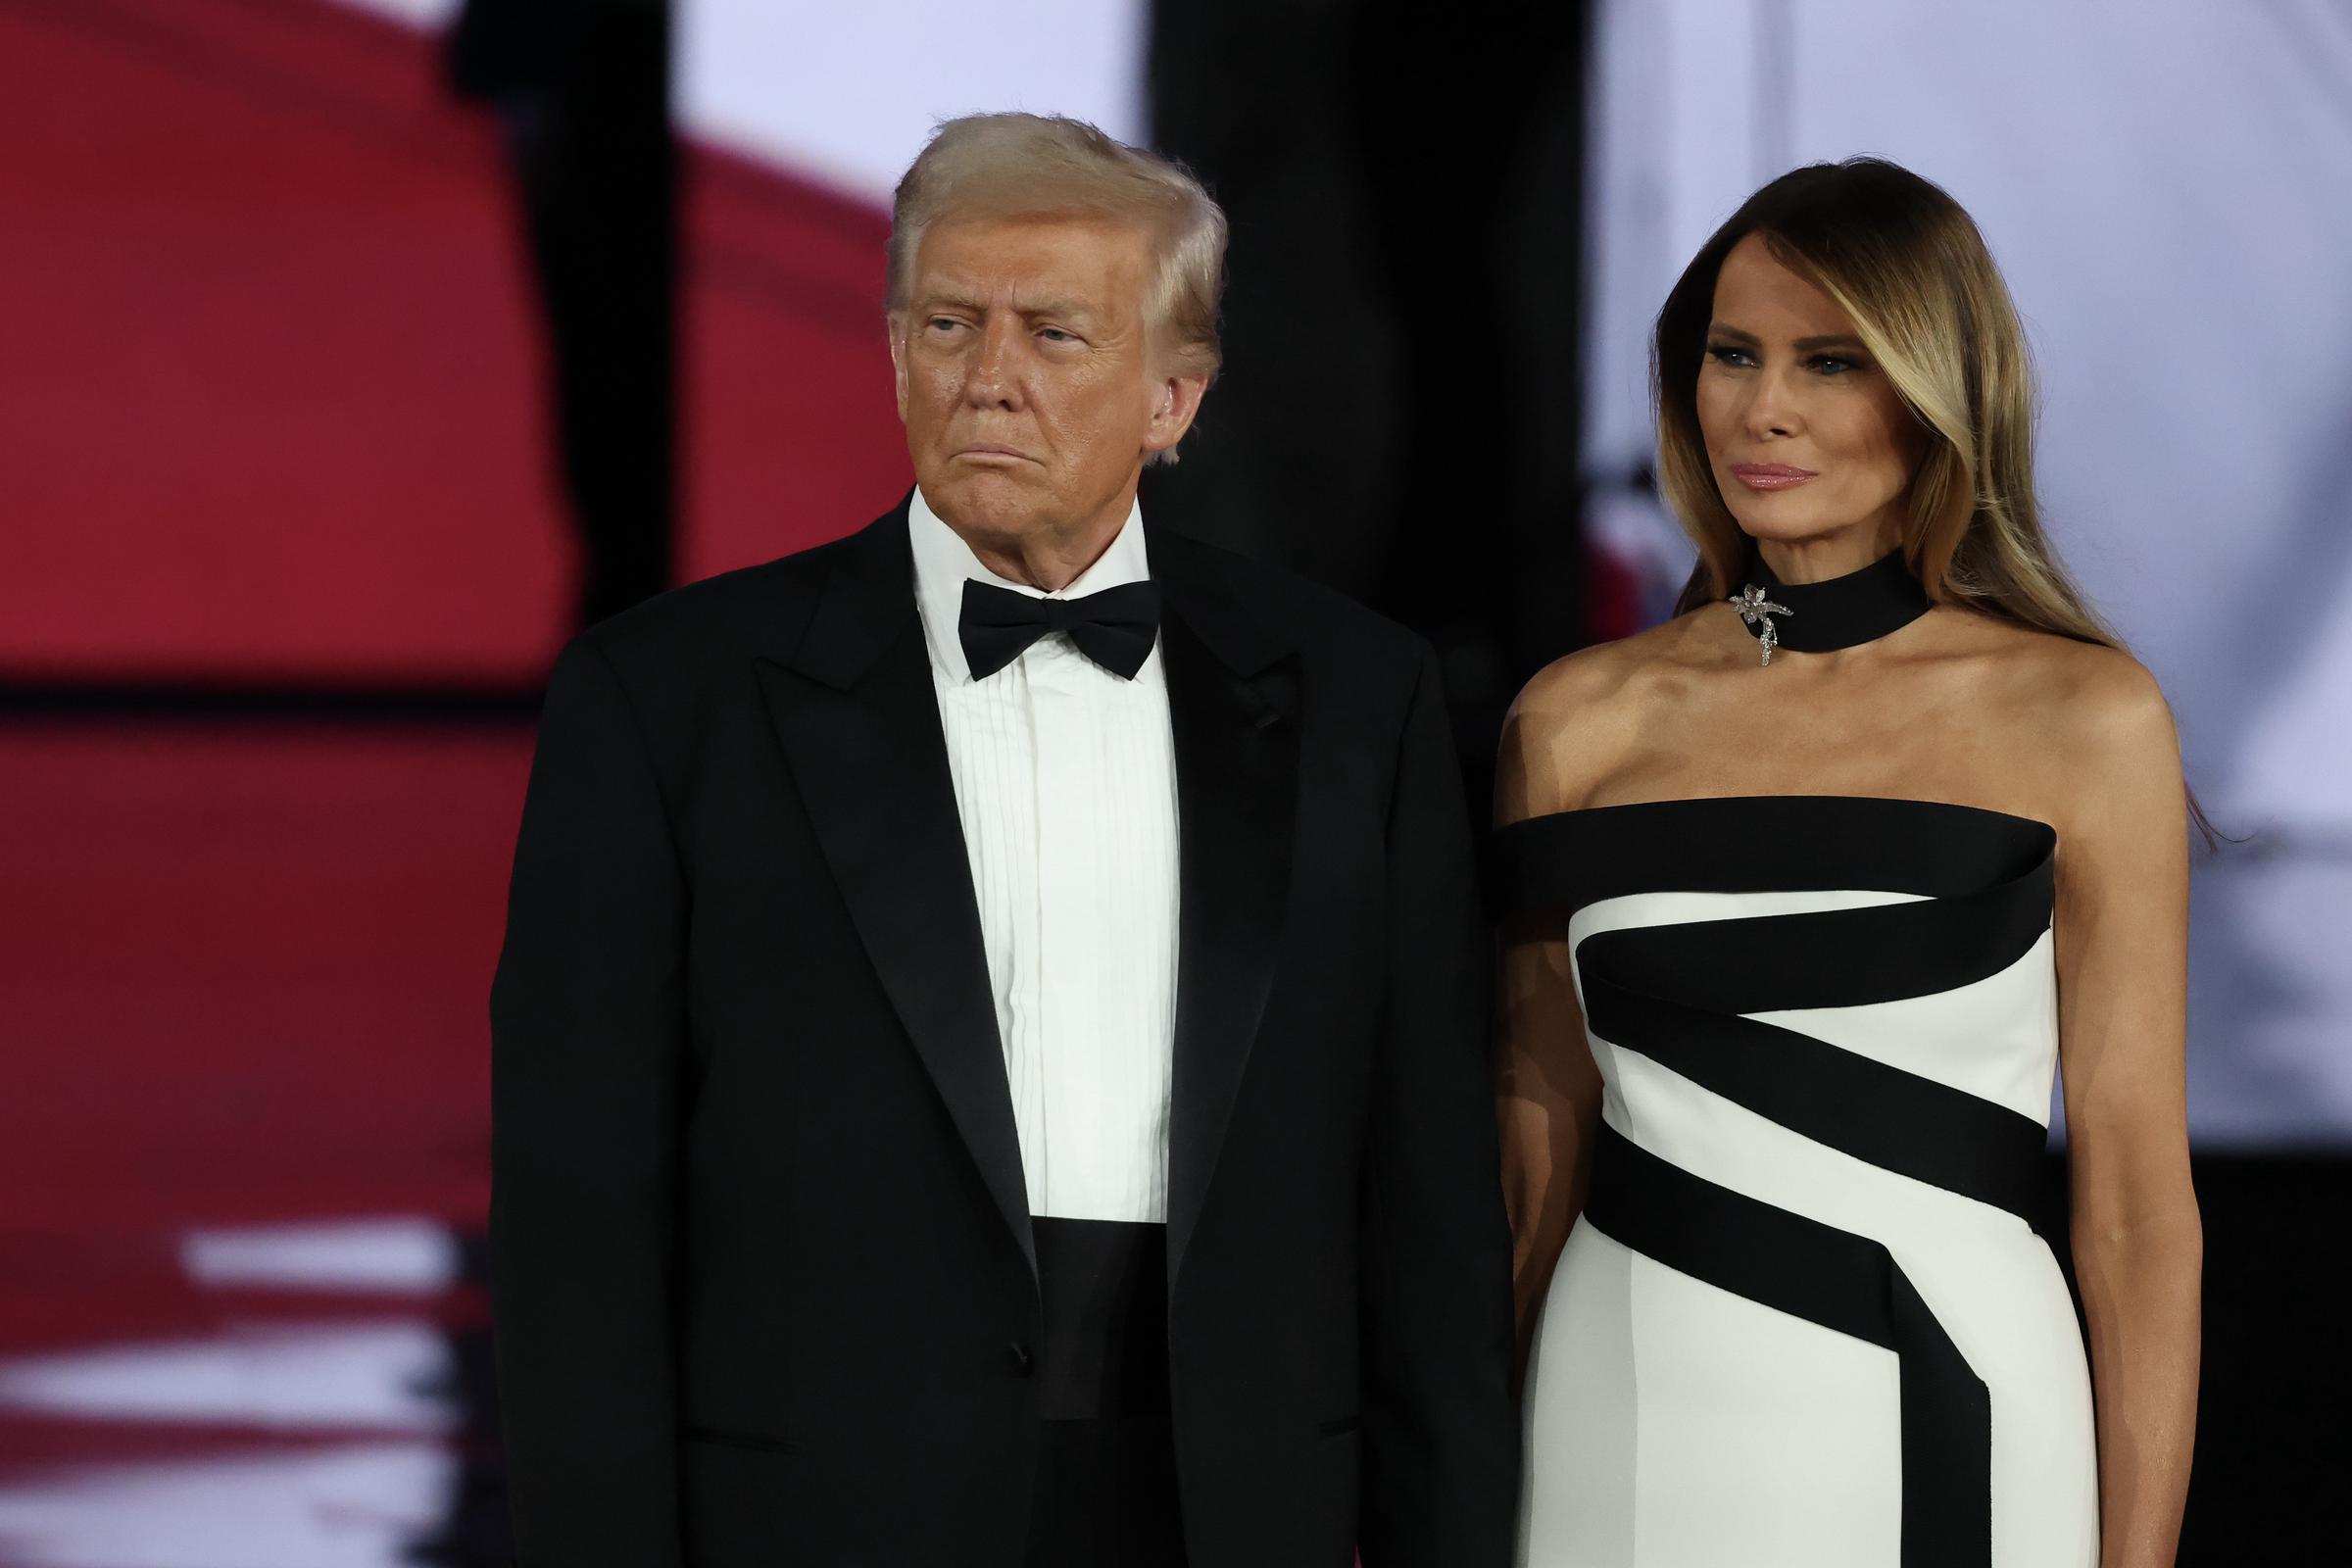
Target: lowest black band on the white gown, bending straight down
[{"x": 1840, "y": 1282}]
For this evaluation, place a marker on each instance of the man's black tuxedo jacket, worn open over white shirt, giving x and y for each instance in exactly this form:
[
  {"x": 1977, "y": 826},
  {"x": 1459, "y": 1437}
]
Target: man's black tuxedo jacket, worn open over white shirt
[{"x": 763, "y": 1264}]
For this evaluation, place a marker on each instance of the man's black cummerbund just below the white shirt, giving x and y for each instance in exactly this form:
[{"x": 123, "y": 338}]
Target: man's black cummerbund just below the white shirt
[{"x": 1107, "y": 1318}]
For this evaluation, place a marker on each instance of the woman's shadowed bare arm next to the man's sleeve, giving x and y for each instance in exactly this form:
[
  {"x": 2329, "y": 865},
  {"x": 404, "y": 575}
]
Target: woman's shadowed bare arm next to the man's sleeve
[{"x": 1546, "y": 1090}]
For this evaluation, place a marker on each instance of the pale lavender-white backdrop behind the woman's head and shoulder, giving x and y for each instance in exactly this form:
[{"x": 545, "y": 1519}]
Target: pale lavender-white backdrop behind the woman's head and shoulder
[{"x": 2170, "y": 192}]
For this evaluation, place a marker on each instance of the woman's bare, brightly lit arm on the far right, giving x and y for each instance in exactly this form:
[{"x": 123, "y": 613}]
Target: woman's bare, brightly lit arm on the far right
[{"x": 2123, "y": 996}]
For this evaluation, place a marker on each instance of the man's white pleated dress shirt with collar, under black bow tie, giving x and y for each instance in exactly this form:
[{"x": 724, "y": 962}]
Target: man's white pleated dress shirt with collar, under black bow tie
[{"x": 1067, "y": 784}]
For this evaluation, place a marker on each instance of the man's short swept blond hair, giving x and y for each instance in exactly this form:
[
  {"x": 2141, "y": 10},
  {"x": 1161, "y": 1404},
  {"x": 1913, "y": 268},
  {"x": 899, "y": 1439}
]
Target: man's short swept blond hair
[{"x": 1022, "y": 166}]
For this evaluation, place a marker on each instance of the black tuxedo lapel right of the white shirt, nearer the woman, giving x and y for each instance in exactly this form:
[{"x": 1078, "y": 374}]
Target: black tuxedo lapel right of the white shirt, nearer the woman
[{"x": 1234, "y": 709}]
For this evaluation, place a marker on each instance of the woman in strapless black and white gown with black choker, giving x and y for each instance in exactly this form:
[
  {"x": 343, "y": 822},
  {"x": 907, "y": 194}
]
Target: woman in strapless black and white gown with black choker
[{"x": 1812, "y": 890}]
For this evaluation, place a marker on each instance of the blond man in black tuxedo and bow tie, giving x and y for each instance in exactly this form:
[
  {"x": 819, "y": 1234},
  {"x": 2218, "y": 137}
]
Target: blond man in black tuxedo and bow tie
[{"x": 989, "y": 1043}]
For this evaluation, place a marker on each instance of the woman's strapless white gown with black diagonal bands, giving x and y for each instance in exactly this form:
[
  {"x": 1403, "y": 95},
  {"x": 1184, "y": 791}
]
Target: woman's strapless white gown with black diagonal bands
[{"x": 1805, "y": 1320}]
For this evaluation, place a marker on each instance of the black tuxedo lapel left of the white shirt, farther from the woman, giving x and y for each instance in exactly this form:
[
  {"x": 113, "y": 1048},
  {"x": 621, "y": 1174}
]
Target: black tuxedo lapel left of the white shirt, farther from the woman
[{"x": 860, "y": 725}]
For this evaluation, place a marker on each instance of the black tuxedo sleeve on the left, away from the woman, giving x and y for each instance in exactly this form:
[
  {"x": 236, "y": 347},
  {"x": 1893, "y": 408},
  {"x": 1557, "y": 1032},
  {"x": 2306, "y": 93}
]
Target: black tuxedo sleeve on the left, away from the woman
[{"x": 587, "y": 1043}]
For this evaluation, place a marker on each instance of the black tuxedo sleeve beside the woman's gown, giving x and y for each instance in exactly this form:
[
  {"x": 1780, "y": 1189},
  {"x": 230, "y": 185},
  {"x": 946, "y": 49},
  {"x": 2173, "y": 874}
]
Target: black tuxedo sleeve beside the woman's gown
[{"x": 1441, "y": 1433}]
